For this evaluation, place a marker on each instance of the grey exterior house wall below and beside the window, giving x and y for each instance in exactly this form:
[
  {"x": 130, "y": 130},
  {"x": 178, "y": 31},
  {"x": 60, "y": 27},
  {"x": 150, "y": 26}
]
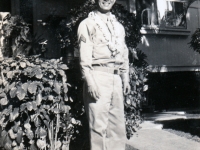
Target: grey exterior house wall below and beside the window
[{"x": 170, "y": 48}]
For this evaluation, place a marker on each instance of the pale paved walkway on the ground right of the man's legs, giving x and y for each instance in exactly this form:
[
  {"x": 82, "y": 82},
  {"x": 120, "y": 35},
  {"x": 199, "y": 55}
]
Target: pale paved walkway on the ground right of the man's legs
[{"x": 152, "y": 137}]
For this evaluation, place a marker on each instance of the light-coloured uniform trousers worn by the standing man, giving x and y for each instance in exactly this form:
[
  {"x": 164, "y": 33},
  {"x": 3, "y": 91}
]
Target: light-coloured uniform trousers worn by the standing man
[{"x": 106, "y": 115}]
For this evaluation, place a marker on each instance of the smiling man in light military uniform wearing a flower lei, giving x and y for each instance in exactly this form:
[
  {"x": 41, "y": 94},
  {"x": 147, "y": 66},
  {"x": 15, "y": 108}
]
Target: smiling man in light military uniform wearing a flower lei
[{"x": 105, "y": 68}]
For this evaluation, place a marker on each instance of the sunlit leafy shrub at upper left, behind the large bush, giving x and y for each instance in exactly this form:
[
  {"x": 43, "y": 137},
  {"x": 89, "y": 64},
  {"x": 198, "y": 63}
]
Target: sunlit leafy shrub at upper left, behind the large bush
[{"x": 19, "y": 30}]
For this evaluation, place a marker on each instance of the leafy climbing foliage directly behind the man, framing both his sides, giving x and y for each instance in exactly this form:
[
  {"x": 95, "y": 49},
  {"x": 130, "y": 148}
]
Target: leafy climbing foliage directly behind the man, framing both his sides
[{"x": 66, "y": 33}]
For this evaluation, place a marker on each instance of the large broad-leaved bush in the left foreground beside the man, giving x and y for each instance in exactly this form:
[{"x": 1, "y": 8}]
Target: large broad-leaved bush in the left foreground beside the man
[{"x": 35, "y": 108}]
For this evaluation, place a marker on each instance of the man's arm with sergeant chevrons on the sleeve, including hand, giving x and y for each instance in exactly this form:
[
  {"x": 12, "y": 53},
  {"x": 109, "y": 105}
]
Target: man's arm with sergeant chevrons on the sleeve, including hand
[{"x": 86, "y": 48}]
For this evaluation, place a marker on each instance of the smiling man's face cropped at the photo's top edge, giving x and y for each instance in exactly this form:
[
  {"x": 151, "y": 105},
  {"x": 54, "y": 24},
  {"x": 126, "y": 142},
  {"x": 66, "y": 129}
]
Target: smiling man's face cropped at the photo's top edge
[{"x": 105, "y": 5}]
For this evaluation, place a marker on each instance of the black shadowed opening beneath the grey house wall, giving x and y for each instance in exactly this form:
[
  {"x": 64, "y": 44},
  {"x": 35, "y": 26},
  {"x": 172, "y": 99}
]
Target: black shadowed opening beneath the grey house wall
[{"x": 174, "y": 90}]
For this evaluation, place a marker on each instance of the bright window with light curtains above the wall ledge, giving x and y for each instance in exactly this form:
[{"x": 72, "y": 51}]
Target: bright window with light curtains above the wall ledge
[{"x": 163, "y": 13}]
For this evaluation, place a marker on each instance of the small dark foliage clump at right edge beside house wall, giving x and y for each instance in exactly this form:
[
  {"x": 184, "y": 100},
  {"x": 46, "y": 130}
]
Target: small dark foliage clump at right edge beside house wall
[{"x": 195, "y": 41}]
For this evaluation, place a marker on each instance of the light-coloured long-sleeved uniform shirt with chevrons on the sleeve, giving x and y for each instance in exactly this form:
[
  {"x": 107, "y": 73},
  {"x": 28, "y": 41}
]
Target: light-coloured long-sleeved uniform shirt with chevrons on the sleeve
[{"x": 94, "y": 36}]
